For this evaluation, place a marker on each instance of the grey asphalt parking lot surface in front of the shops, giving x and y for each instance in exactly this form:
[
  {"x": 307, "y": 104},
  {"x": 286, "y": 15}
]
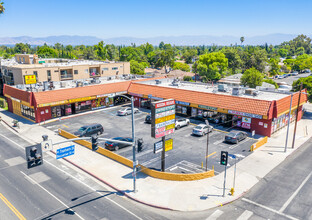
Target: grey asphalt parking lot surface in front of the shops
[{"x": 188, "y": 154}]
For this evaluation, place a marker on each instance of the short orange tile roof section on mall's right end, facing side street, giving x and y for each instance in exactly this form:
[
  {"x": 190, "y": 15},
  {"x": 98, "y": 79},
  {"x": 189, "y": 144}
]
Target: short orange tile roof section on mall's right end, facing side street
[{"x": 283, "y": 104}]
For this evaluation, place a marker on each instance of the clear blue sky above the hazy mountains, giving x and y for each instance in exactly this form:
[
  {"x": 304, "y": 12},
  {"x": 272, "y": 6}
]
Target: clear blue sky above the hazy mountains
[{"x": 153, "y": 18}]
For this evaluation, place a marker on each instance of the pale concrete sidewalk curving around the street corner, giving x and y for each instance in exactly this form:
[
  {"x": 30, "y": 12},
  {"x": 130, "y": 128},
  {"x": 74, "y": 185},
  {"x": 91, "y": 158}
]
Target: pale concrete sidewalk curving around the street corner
[{"x": 184, "y": 196}]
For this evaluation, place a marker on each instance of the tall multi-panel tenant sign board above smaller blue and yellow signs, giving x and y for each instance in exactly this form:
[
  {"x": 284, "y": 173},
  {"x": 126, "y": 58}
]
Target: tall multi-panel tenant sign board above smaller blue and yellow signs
[{"x": 163, "y": 118}]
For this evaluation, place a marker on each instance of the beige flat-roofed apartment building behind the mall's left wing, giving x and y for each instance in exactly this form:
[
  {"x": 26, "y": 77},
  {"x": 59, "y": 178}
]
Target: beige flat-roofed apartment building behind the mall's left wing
[{"x": 29, "y": 69}]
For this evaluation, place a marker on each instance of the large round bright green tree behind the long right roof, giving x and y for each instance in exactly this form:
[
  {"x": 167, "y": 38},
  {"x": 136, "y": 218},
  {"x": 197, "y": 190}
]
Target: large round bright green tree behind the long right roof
[{"x": 212, "y": 65}]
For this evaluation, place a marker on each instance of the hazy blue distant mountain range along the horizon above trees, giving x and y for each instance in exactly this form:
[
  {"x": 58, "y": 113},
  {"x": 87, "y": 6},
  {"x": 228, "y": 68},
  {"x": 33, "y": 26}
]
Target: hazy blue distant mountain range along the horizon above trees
[{"x": 274, "y": 39}]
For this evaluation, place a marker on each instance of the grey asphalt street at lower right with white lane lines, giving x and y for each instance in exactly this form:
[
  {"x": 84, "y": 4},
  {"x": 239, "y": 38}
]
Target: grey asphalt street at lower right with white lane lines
[{"x": 285, "y": 193}]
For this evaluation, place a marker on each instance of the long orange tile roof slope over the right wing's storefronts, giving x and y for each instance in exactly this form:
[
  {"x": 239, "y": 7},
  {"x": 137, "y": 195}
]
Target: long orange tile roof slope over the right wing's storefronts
[{"x": 248, "y": 105}]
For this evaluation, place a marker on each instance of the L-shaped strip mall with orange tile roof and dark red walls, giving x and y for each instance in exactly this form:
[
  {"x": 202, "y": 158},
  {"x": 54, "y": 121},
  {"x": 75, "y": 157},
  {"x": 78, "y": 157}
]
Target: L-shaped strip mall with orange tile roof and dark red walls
[{"x": 265, "y": 113}]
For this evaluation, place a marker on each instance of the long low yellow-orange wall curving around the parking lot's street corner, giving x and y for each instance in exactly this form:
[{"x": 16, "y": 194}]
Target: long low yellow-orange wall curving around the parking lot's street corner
[{"x": 129, "y": 163}]
